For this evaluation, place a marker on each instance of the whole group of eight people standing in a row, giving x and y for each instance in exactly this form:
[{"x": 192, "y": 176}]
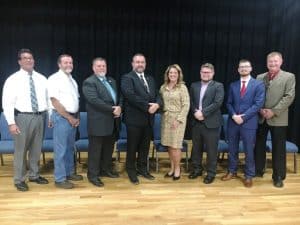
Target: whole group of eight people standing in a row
[{"x": 255, "y": 106}]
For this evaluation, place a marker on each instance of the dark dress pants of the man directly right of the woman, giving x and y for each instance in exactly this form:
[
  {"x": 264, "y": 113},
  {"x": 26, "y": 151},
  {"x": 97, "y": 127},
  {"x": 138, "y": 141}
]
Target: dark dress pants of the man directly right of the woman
[{"x": 205, "y": 139}]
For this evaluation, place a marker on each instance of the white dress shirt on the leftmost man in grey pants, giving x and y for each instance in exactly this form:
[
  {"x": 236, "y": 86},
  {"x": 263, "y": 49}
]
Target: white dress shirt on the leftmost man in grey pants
[{"x": 16, "y": 94}]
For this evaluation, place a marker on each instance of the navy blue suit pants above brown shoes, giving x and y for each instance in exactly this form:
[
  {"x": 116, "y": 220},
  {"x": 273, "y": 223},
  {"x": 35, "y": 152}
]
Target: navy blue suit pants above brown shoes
[{"x": 235, "y": 134}]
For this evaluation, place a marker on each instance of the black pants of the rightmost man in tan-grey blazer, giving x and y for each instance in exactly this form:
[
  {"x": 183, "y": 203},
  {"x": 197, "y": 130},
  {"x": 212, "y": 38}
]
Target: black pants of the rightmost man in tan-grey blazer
[{"x": 278, "y": 136}]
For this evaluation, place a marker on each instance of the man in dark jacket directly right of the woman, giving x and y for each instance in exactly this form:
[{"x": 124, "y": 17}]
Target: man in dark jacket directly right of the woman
[{"x": 206, "y": 99}]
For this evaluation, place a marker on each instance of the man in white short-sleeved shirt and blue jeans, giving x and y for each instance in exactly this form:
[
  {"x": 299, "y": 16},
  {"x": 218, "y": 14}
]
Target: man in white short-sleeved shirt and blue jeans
[{"x": 64, "y": 96}]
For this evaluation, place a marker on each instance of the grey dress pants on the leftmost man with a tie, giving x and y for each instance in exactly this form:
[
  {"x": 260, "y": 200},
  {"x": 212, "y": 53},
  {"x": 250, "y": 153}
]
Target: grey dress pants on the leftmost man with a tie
[{"x": 30, "y": 139}]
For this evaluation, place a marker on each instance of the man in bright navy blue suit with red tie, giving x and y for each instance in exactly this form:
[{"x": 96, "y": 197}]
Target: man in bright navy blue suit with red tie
[{"x": 245, "y": 99}]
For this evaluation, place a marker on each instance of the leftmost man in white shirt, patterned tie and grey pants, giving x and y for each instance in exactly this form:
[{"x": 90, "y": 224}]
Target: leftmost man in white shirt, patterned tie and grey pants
[{"x": 24, "y": 102}]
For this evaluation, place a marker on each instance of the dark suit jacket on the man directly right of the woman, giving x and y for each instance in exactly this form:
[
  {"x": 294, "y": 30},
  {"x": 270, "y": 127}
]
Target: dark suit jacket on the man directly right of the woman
[{"x": 211, "y": 103}]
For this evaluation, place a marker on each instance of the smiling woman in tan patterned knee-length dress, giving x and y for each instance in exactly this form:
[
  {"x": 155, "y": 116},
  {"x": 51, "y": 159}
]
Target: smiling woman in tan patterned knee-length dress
[{"x": 176, "y": 104}]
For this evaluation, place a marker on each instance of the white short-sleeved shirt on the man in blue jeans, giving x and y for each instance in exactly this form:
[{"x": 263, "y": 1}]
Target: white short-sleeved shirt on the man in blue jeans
[{"x": 63, "y": 87}]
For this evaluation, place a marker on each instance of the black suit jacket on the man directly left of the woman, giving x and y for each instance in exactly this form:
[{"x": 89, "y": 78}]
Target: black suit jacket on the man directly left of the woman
[{"x": 137, "y": 99}]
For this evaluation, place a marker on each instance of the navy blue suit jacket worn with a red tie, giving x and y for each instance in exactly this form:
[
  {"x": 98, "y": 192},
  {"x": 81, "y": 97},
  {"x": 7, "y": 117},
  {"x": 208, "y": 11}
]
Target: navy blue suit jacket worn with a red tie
[{"x": 249, "y": 104}]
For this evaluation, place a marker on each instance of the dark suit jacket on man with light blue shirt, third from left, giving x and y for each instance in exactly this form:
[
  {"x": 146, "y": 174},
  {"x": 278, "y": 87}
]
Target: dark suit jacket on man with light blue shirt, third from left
[{"x": 99, "y": 102}]
